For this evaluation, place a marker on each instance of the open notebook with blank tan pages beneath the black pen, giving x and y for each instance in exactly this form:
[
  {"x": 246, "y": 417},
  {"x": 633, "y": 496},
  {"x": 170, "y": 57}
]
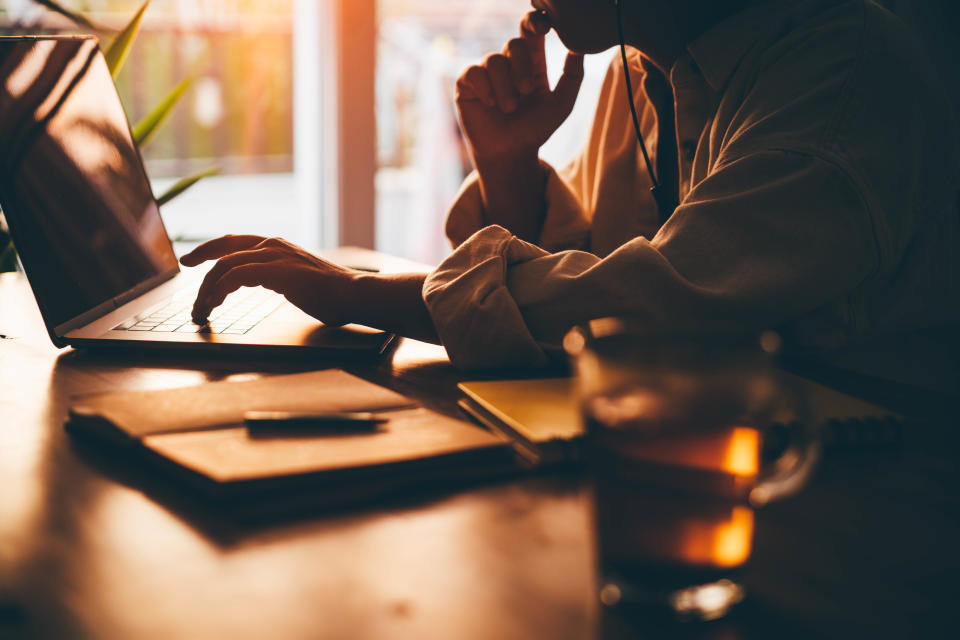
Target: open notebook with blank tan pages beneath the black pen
[{"x": 198, "y": 433}]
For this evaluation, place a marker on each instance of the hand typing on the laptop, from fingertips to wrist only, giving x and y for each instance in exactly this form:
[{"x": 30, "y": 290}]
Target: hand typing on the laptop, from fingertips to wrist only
[{"x": 320, "y": 288}]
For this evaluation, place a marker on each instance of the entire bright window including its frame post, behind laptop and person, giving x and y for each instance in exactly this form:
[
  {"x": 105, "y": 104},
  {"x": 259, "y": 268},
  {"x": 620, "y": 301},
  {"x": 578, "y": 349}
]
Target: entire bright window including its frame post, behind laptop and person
[{"x": 332, "y": 121}]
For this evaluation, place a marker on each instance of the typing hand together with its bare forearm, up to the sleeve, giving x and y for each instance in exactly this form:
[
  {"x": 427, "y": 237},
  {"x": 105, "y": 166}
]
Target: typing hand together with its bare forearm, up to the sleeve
[{"x": 333, "y": 294}]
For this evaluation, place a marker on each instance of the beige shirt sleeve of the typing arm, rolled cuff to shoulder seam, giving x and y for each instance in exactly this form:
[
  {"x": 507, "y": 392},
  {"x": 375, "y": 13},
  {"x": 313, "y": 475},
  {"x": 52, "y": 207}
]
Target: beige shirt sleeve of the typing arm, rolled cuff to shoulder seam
[{"x": 730, "y": 259}]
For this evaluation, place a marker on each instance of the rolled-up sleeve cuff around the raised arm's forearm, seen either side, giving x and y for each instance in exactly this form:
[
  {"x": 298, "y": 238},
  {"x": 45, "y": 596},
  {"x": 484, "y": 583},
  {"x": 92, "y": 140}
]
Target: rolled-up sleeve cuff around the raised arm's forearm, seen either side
[{"x": 565, "y": 226}]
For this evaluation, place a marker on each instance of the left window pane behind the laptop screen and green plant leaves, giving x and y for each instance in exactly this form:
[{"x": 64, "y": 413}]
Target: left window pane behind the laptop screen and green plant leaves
[{"x": 237, "y": 115}]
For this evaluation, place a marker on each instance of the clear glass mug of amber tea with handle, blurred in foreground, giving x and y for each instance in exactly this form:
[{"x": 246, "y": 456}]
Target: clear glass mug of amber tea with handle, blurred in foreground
[{"x": 685, "y": 437}]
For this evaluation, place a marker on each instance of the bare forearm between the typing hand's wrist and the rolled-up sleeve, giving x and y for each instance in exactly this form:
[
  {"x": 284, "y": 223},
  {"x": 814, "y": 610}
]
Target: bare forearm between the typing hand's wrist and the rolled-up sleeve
[{"x": 394, "y": 303}]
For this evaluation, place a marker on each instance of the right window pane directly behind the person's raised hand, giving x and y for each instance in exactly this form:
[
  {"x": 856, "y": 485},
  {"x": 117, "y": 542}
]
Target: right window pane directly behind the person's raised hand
[{"x": 422, "y": 46}]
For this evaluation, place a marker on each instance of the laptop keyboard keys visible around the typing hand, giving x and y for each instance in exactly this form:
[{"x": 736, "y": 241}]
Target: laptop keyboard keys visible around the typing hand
[{"x": 239, "y": 313}]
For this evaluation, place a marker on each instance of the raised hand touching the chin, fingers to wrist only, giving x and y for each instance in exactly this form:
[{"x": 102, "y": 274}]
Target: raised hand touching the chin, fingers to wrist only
[{"x": 506, "y": 106}]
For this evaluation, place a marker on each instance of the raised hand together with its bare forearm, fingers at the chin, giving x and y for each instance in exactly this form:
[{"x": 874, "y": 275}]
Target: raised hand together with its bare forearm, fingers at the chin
[{"x": 507, "y": 111}]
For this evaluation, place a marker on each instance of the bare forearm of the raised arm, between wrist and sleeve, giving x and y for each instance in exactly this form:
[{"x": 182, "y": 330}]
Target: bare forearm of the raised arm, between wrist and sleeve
[{"x": 513, "y": 193}]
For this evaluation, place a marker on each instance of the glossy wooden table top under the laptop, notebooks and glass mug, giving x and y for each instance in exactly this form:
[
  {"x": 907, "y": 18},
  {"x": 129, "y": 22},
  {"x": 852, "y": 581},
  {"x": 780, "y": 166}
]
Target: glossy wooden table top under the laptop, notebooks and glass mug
[{"x": 869, "y": 548}]
